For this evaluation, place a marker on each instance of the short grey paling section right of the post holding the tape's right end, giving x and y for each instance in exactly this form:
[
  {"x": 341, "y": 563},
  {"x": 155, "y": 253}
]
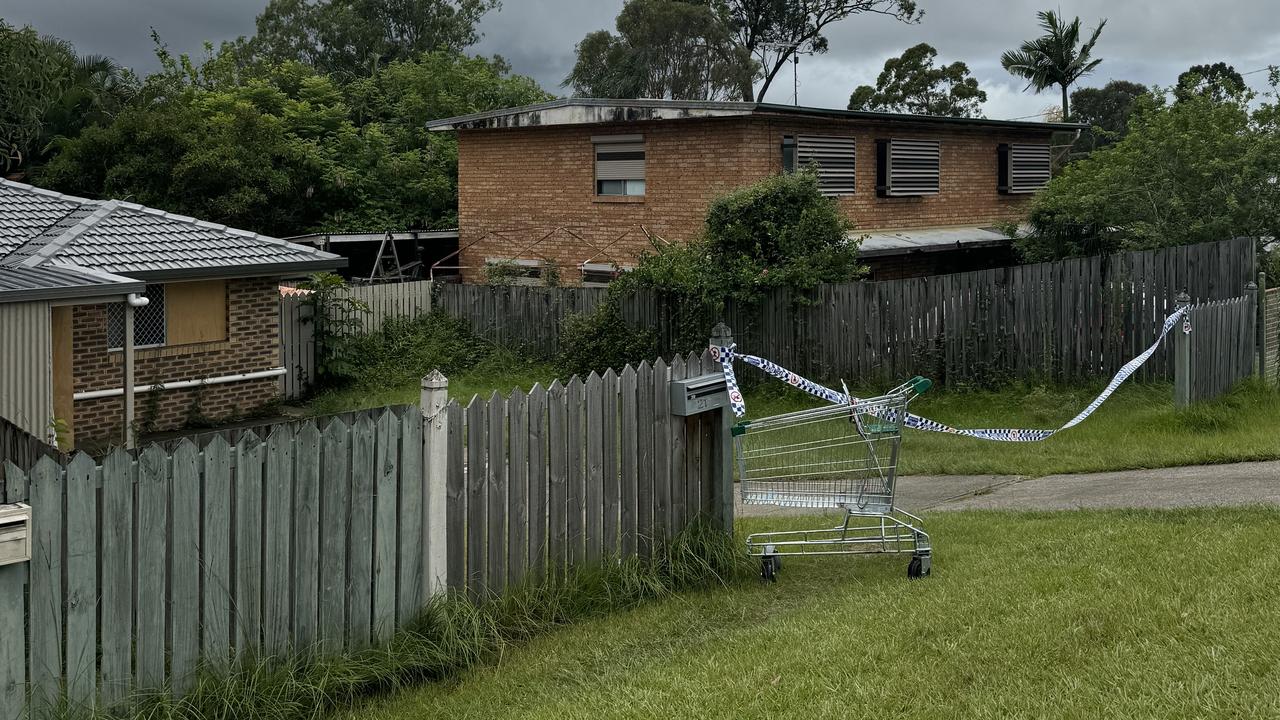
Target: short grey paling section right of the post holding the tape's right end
[{"x": 1215, "y": 348}]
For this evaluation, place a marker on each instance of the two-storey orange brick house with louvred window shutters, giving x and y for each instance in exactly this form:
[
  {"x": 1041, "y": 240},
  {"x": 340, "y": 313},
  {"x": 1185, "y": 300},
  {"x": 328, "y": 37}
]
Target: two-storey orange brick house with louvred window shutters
[{"x": 588, "y": 184}]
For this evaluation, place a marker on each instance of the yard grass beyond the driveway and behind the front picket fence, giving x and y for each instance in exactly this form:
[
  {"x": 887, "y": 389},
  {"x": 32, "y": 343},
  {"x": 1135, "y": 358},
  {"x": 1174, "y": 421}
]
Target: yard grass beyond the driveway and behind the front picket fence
[{"x": 1136, "y": 429}]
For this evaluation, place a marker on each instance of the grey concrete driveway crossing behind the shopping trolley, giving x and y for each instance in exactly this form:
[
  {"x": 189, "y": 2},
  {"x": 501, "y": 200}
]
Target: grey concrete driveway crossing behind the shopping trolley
[{"x": 1238, "y": 484}]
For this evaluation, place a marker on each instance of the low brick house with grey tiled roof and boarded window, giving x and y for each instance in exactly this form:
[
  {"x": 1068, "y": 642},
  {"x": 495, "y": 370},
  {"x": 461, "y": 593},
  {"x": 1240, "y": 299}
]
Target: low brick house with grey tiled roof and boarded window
[{"x": 203, "y": 302}]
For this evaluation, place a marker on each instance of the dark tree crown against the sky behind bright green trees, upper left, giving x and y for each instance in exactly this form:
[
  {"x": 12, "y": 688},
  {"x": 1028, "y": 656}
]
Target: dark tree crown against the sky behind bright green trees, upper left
[{"x": 356, "y": 37}]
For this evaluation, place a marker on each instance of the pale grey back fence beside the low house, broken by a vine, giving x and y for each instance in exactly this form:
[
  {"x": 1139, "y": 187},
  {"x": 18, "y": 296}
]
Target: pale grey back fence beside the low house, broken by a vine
[{"x": 298, "y": 329}]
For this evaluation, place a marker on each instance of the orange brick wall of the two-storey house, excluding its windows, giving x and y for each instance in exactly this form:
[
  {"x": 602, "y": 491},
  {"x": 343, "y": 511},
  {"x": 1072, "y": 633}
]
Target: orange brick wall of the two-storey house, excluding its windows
[{"x": 524, "y": 183}]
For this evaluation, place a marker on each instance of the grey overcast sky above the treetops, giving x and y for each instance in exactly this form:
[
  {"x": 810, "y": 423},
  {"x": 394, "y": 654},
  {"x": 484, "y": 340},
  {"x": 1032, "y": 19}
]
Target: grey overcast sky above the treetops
[{"x": 1149, "y": 42}]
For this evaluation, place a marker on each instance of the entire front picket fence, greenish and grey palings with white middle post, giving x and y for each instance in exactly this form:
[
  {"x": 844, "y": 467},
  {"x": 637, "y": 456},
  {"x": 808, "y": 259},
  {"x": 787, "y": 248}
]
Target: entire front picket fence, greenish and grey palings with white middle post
[{"x": 323, "y": 537}]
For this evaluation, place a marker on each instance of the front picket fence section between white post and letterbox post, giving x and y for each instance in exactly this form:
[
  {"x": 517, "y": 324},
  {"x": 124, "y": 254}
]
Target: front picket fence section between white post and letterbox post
[{"x": 578, "y": 472}]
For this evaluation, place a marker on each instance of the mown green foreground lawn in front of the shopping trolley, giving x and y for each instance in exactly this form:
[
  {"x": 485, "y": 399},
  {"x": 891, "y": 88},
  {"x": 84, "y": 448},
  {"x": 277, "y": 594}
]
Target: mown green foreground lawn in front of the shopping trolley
[{"x": 1160, "y": 614}]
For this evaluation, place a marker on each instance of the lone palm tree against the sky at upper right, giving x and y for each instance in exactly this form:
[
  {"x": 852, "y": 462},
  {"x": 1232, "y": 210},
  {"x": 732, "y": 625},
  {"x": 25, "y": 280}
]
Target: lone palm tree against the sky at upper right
[{"x": 1055, "y": 58}]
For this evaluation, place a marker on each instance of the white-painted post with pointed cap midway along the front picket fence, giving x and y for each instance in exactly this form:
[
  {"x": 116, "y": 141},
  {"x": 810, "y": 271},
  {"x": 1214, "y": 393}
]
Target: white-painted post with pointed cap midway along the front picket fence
[{"x": 435, "y": 400}]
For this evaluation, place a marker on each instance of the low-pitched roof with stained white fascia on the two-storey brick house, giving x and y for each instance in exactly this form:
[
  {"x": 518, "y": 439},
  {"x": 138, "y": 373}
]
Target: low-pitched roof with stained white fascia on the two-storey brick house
[{"x": 593, "y": 111}]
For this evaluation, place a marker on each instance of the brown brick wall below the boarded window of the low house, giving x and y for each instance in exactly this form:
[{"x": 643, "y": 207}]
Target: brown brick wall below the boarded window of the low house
[{"x": 253, "y": 344}]
